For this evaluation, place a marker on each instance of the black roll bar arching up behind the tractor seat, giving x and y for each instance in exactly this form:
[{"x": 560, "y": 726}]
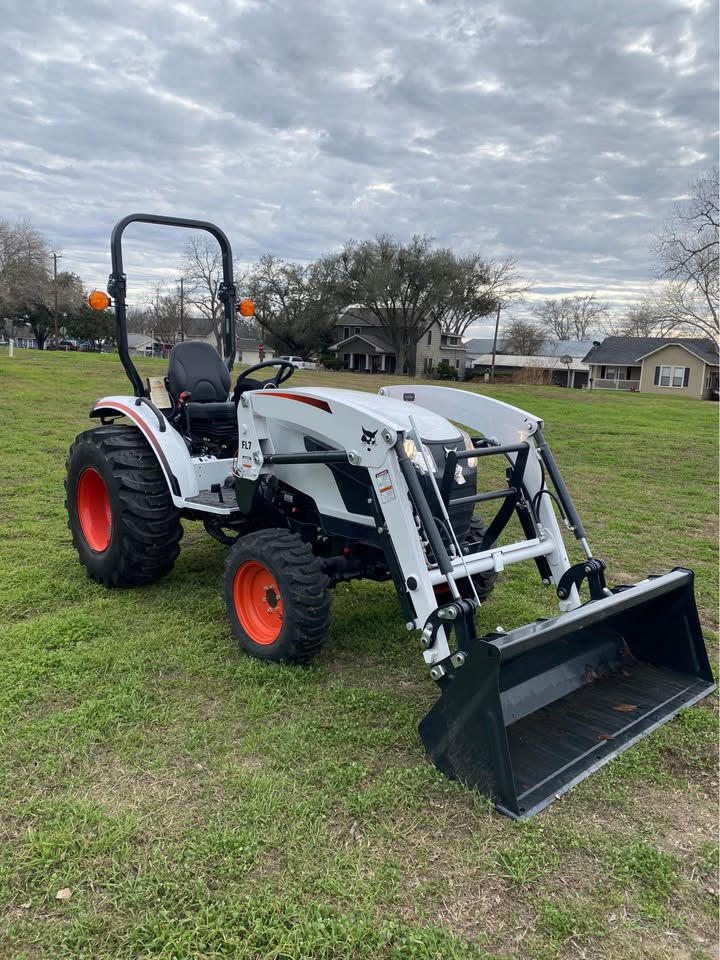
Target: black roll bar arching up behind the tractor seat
[{"x": 117, "y": 285}]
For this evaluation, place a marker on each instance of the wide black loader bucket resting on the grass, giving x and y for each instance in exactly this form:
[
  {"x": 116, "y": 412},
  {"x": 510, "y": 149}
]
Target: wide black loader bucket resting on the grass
[{"x": 533, "y": 712}]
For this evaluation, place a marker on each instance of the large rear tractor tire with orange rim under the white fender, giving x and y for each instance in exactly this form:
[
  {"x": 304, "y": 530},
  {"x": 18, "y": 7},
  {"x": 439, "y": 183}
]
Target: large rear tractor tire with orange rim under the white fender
[{"x": 124, "y": 524}]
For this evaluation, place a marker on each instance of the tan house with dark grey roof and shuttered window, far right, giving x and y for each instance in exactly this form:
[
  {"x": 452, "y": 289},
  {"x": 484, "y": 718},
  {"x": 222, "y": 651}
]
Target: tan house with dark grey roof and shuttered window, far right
[{"x": 683, "y": 366}]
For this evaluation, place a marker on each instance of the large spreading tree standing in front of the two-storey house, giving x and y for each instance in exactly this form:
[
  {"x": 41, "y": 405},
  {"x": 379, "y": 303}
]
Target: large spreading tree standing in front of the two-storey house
[{"x": 404, "y": 286}]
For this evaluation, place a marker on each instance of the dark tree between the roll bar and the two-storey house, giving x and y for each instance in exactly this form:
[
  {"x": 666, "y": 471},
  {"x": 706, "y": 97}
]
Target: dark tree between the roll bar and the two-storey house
[{"x": 295, "y": 305}]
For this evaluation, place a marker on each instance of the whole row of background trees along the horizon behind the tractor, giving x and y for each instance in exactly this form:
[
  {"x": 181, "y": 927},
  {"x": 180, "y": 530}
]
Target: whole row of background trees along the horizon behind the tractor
[{"x": 404, "y": 287}]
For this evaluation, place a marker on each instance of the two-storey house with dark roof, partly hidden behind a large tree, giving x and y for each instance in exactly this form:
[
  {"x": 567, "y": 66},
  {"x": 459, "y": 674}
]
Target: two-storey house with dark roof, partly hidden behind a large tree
[{"x": 363, "y": 344}]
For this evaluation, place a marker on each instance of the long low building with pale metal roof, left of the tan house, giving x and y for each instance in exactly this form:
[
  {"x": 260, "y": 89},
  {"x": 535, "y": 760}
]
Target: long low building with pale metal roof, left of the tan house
[{"x": 558, "y": 362}]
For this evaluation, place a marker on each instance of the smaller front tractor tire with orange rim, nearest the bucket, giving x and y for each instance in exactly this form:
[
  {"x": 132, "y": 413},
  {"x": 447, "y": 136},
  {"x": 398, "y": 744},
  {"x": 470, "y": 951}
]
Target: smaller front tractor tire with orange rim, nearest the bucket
[{"x": 277, "y": 597}]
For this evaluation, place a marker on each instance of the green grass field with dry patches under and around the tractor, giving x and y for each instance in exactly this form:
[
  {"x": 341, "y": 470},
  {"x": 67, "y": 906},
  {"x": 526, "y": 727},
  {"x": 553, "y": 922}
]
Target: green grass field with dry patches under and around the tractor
[{"x": 199, "y": 804}]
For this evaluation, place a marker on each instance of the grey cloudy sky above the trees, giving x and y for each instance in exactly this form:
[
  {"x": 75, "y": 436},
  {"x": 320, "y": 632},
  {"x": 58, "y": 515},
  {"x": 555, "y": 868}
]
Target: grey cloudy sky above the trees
[{"x": 557, "y": 132}]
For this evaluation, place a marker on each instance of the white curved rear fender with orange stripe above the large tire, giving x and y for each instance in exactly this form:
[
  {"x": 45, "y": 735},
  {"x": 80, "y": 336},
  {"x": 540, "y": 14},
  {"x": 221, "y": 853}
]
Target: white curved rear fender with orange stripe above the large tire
[{"x": 167, "y": 445}]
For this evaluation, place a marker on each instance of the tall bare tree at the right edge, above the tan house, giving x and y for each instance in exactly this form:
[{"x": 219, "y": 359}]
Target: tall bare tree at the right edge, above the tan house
[{"x": 688, "y": 252}]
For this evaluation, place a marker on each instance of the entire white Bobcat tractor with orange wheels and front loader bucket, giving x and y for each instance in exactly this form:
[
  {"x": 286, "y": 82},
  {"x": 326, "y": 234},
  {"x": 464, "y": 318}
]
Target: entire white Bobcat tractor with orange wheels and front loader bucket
[{"x": 311, "y": 487}]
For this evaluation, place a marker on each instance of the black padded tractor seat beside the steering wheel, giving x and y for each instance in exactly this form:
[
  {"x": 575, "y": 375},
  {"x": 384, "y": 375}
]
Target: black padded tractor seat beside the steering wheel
[{"x": 197, "y": 368}]
